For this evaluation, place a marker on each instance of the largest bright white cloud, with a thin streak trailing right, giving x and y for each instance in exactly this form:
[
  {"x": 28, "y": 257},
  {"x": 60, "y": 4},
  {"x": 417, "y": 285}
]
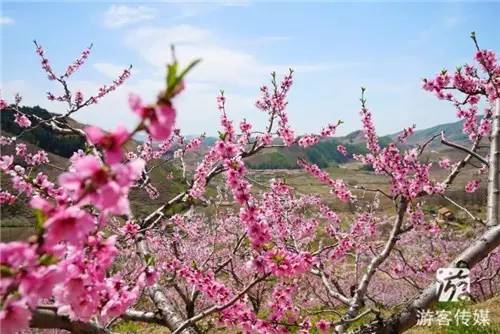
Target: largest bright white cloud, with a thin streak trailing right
[{"x": 221, "y": 66}]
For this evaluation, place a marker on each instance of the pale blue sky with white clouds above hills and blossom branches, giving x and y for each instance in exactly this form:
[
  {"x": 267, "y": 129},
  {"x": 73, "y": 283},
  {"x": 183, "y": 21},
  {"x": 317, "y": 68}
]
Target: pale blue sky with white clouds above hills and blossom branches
[{"x": 335, "y": 49}]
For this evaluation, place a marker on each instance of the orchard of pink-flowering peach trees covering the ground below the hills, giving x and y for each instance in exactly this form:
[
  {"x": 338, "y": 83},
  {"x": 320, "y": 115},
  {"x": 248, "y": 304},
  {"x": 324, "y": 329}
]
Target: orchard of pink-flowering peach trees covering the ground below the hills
[{"x": 277, "y": 260}]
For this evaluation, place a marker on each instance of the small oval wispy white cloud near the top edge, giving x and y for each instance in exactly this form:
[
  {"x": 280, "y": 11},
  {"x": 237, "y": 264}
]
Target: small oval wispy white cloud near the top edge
[{"x": 120, "y": 15}]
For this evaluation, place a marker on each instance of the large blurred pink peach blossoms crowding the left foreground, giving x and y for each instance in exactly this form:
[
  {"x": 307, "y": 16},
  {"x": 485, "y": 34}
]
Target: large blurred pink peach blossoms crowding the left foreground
[{"x": 70, "y": 257}]
